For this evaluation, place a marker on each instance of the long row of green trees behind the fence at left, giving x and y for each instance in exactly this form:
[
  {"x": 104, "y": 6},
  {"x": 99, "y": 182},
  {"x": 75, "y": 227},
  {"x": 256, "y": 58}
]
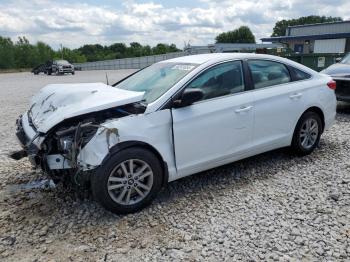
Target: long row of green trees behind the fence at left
[{"x": 23, "y": 54}]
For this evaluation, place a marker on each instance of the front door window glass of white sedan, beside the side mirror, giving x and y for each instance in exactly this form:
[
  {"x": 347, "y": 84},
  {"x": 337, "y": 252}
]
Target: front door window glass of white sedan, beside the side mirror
[{"x": 223, "y": 79}]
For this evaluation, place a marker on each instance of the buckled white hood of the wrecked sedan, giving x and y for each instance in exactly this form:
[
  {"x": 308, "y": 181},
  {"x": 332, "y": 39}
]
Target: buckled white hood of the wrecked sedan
[{"x": 57, "y": 102}]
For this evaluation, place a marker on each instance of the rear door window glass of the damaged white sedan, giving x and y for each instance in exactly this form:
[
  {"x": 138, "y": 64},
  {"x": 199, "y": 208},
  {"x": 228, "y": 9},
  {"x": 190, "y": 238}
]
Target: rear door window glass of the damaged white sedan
[{"x": 268, "y": 73}]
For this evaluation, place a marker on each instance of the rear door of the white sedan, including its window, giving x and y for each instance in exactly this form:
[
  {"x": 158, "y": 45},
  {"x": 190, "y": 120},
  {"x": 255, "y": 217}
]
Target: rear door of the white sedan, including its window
[{"x": 278, "y": 103}]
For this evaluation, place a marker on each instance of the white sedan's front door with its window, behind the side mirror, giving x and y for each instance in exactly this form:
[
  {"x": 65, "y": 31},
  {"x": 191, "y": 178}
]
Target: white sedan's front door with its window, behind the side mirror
[{"x": 217, "y": 129}]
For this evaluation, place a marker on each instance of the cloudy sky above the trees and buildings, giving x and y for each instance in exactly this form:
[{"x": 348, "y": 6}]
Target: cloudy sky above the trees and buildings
[{"x": 74, "y": 23}]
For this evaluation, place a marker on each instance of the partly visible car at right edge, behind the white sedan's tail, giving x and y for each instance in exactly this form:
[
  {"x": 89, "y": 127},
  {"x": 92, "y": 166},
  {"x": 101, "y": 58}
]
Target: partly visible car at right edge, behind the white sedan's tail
[{"x": 340, "y": 72}]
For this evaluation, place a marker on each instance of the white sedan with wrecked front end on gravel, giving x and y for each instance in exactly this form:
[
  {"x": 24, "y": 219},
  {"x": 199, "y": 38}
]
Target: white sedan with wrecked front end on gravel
[{"x": 173, "y": 119}]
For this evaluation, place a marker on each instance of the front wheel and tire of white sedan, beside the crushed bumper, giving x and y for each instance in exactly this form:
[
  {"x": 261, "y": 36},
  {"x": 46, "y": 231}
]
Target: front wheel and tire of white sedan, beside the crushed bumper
[{"x": 110, "y": 184}]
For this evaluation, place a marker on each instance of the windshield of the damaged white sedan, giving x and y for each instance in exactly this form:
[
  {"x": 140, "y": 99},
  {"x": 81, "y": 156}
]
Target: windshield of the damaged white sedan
[{"x": 156, "y": 79}]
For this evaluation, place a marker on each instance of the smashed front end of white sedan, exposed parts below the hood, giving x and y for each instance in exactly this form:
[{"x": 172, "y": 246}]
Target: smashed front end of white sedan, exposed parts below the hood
[{"x": 57, "y": 152}]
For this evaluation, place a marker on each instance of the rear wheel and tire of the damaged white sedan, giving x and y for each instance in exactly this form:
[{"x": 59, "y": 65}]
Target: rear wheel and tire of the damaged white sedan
[{"x": 307, "y": 134}]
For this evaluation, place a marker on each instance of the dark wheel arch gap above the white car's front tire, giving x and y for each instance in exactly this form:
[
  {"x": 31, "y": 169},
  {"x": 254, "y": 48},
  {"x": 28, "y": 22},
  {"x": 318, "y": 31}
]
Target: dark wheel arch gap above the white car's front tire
[{"x": 128, "y": 144}]
